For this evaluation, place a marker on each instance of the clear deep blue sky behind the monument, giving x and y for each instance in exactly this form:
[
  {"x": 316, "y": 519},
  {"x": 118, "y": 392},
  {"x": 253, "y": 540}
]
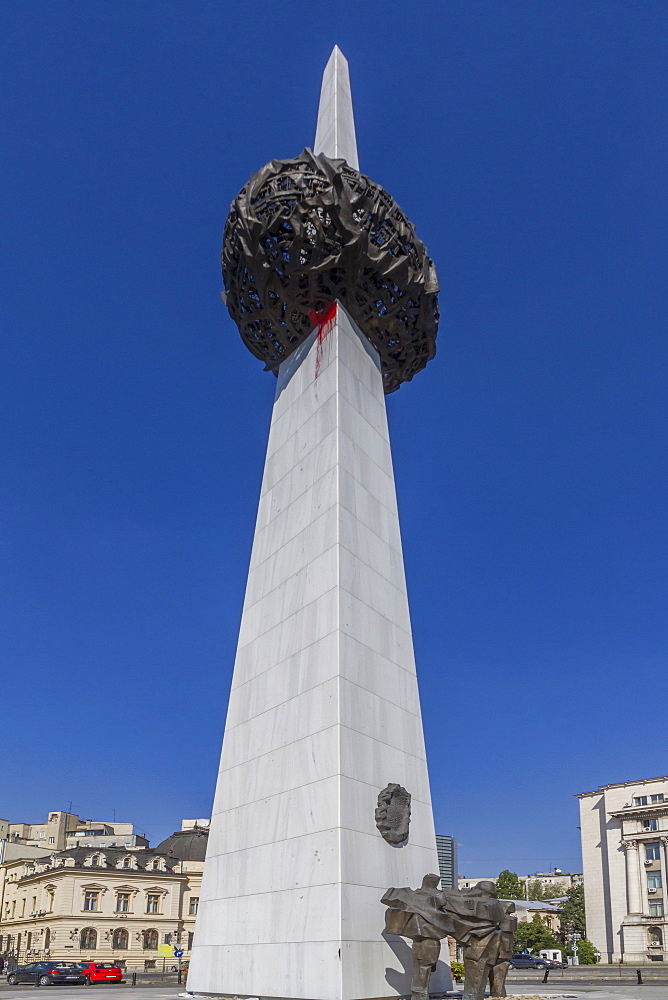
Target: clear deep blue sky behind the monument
[{"x": 527, "y": 141}]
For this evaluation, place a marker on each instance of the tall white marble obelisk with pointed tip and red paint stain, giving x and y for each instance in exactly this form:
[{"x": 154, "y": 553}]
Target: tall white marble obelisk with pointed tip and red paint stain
[{"x": 324, "y": 709}]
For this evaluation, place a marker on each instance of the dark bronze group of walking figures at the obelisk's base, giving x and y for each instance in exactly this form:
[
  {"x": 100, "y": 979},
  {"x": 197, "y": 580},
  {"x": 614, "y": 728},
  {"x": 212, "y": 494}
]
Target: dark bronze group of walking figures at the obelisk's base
[{"x": 475, "y": 918}]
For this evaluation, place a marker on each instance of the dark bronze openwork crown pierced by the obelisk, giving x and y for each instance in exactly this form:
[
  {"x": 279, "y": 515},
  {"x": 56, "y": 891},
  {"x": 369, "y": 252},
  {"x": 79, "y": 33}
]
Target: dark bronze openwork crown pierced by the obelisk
[{"x": 305, "y": 232}]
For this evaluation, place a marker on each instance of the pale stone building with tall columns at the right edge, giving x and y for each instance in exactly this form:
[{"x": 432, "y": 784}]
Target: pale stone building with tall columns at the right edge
[{"x": 624, "y": 830}]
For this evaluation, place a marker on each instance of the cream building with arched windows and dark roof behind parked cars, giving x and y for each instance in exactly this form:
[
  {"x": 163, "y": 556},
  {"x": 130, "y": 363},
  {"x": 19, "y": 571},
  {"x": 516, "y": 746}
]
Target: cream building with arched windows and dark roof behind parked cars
[{"x": 109, "y": 904}]
